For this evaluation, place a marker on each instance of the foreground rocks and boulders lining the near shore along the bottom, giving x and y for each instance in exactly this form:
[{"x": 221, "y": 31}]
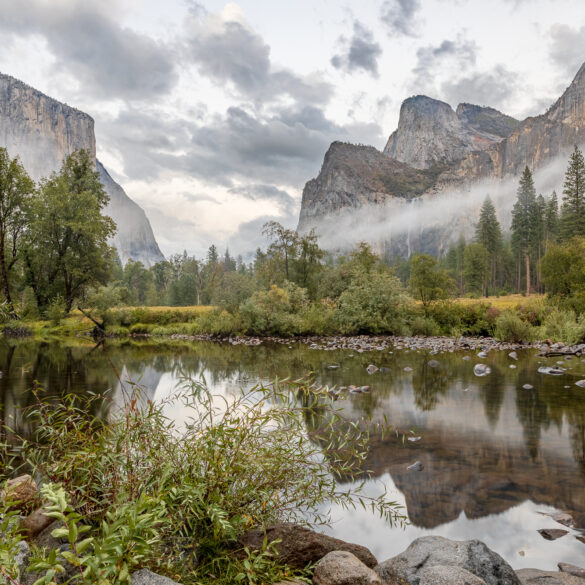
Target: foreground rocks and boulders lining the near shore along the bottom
[{"x": 429, "y": 560}]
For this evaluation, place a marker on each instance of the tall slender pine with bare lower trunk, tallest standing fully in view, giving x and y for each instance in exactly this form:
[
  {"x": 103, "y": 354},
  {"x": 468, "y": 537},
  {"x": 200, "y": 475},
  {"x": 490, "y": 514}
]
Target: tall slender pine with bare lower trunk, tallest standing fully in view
[{"x": 523, "y": 227}]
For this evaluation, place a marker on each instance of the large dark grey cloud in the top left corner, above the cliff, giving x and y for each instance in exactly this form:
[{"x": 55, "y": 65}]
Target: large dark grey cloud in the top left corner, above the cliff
[{"x": 107, "y": 60}]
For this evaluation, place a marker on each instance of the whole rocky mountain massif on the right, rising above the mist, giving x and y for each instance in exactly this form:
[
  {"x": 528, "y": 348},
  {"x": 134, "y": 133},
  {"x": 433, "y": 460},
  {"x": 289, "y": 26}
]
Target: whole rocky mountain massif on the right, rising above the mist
[{"x": 436, "y": 149}]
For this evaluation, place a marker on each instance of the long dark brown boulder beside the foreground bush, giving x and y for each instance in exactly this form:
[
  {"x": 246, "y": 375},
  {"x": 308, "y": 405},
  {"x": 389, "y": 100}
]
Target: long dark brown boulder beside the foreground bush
[{"x": 300, "y": 546}]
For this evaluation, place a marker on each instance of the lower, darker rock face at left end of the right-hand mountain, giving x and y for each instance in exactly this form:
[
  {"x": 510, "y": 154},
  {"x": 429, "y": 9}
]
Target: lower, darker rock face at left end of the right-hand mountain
[{"x": 354, "y": 176}]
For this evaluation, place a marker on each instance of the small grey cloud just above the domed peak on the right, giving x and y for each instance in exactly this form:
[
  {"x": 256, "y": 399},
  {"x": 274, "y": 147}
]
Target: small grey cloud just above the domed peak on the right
[{"x": 493, "y": 88}]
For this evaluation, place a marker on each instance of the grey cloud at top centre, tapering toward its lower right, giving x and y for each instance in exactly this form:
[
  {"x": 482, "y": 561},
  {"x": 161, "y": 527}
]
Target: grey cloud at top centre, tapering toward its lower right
[{"x": 237, "y": 54}]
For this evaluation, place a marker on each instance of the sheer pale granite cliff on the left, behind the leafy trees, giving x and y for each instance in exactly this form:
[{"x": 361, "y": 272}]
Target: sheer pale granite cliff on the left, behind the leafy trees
[{"x": 42, "y": 132}]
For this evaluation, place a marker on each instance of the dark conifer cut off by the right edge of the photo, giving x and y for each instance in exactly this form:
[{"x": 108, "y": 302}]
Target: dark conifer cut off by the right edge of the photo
[{"x": 573, "y": 208}]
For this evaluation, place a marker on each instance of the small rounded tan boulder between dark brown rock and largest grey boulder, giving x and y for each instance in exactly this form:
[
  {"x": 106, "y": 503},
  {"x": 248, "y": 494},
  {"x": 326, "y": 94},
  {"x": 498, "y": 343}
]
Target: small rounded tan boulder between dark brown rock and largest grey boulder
[{"x": 342, "y": 568}]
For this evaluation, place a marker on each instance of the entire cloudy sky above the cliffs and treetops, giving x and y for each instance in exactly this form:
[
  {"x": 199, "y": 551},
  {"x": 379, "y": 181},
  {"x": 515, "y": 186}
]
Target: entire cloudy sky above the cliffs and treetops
[{"x": 213, "y": 115}]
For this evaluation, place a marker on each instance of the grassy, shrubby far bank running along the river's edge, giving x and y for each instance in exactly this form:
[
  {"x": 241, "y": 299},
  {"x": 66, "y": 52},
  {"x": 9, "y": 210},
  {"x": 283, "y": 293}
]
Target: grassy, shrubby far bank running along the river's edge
[{"x": 280, "y": 312}]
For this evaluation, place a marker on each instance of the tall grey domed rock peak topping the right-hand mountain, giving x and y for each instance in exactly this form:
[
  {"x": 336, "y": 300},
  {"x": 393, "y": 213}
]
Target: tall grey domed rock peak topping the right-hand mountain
[{"x": 430, "y": 133}]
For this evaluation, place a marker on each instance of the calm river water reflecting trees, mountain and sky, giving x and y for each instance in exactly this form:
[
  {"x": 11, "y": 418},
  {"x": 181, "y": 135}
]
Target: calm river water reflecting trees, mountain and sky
[{"x": 495, "y": 456}]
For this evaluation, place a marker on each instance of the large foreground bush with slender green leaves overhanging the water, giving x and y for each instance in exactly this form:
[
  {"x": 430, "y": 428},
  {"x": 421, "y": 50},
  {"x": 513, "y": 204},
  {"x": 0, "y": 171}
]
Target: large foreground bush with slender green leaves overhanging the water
[{"x": 239, "y": 463}]
